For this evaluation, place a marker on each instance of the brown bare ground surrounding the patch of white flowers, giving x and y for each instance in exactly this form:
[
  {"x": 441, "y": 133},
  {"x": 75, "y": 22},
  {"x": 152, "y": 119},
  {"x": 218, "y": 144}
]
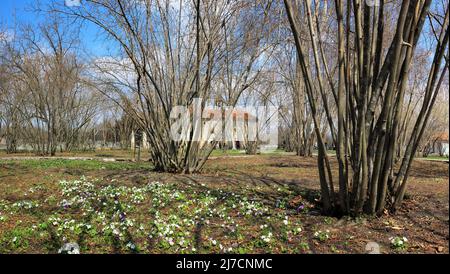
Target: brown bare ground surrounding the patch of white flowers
[{"x": 423, "y": 219}]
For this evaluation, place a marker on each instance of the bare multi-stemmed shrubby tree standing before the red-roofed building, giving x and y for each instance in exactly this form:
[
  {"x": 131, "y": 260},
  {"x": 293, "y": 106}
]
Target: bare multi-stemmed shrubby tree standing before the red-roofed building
[{"x": 173, "y": 52}]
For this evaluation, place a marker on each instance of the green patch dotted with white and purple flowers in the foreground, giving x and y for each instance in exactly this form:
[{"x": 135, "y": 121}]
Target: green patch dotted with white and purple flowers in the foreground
[{"x": 156, "y": 218}]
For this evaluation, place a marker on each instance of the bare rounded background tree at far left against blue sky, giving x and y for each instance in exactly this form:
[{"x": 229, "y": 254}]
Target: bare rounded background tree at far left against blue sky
[{"x": 47, "y": 92}]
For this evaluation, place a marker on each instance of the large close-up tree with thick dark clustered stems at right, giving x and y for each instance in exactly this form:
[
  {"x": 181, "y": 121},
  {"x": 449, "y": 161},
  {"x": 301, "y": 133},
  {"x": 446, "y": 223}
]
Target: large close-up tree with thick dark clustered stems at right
[{"x": 369, "y": 95}]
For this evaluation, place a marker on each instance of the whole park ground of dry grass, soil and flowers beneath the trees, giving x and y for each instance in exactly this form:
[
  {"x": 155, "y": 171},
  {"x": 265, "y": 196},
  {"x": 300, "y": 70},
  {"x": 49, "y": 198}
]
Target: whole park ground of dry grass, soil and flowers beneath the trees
[{"x": 276, "y": 183}]
